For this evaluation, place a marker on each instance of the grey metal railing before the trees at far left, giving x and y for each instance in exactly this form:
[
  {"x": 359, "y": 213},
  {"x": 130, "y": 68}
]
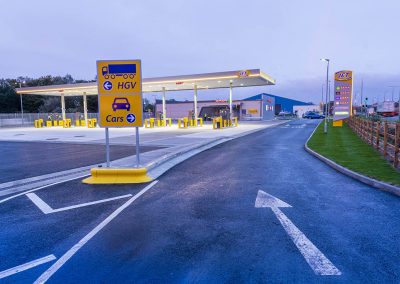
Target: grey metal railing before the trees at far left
[{"x": 15, "y": 119}]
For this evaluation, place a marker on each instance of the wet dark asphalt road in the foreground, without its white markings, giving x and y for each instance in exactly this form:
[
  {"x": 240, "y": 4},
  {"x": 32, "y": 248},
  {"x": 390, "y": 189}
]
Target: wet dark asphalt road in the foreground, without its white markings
[{"x": 199, "y": 224}]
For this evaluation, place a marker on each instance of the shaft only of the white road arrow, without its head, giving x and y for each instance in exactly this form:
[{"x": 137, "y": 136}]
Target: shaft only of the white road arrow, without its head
[{"x": 314, "y": 257}]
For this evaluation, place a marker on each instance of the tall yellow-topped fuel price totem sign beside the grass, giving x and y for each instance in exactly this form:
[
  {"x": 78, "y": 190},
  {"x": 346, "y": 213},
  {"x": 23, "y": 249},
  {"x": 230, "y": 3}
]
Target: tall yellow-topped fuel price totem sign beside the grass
[{"x": 343, "y": 96}]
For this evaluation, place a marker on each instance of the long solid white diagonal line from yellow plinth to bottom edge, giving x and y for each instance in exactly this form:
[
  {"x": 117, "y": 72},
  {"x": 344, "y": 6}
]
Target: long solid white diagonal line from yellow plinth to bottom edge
[{"x": 60, "y": 262}]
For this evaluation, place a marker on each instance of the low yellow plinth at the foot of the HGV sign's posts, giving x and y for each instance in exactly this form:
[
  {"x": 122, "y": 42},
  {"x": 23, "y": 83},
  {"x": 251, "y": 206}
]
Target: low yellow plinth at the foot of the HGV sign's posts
[{"x": 117, "y": 176}]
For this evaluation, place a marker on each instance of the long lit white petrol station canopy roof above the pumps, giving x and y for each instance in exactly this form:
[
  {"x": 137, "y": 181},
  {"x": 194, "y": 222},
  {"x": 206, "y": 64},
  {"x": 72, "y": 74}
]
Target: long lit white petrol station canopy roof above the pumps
[{"x": 241, "y": 78}]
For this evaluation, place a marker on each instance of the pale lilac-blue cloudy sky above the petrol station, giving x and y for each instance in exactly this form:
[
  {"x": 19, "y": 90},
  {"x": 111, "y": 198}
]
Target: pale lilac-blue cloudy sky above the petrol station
[{"x": 285, "y": 39}]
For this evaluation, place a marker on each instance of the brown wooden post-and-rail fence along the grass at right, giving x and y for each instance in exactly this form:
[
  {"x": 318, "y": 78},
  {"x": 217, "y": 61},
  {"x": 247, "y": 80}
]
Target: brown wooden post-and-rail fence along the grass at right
[{"x": 383, "y": 136}]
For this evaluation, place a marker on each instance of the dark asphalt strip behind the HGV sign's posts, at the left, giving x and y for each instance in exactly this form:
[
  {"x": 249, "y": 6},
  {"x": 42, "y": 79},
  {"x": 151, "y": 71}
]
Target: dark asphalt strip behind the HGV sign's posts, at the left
[{"x": 21, "y": 160}]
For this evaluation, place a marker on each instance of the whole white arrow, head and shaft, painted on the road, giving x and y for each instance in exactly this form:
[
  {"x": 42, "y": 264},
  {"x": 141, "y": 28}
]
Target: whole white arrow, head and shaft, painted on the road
[{"x": 314, "y": 257}]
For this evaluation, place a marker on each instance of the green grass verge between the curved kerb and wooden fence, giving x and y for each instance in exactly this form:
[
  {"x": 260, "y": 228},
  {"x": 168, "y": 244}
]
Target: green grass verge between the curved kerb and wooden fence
[{"x": 345, "y": 148}]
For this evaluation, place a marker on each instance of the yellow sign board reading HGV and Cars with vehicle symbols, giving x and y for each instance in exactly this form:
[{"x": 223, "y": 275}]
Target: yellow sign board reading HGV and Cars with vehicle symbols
[{"x": 120, "y": 93}]
